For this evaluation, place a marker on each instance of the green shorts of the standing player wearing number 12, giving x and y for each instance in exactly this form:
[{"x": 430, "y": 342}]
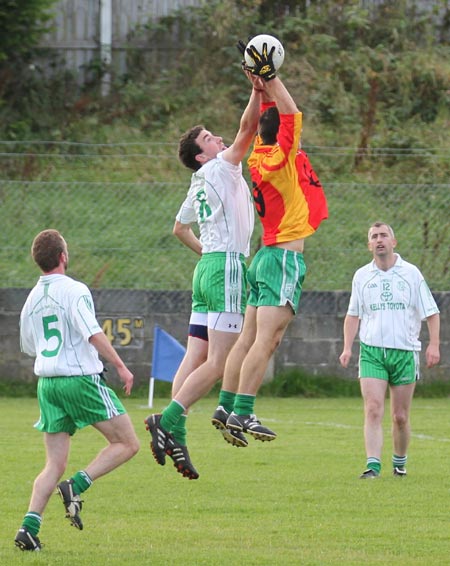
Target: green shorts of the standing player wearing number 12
[{"x": 398, "y": 367}]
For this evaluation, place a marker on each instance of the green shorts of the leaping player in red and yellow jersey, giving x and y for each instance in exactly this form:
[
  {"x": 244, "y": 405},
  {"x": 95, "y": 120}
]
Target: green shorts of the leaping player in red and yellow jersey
[{"x": 276, "y": 277}]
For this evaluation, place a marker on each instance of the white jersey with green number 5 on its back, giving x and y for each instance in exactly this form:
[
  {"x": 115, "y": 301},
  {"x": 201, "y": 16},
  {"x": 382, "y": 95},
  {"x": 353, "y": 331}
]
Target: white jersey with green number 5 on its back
[{"x": 56, "y": 322}]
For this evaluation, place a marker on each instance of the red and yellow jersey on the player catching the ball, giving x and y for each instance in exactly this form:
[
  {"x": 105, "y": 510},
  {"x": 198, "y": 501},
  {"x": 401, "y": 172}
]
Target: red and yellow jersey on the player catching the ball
[{"x": 287, "y": 193}]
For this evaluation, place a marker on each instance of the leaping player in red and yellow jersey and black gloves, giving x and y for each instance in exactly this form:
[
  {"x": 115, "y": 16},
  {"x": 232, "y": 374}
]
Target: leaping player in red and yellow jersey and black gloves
[{"x": 291, "y": 204}]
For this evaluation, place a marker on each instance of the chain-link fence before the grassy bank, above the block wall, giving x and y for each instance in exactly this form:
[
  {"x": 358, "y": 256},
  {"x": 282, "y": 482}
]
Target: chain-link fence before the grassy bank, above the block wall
[{"x": 119, "y": 229}]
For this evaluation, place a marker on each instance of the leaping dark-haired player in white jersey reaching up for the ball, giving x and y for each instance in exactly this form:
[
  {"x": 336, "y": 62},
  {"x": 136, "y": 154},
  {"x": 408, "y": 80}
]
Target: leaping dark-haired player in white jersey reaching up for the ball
[{"x": 219, "y": 201}]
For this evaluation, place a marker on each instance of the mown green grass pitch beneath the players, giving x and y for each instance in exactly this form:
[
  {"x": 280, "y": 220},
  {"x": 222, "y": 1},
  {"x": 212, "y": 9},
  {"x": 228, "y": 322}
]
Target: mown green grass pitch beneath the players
[{"x": 297, "y": 500}]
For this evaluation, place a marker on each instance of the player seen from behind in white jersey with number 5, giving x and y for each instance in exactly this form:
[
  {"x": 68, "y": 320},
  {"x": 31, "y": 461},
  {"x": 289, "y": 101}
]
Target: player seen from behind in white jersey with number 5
[{"x": 59, "y": 329}]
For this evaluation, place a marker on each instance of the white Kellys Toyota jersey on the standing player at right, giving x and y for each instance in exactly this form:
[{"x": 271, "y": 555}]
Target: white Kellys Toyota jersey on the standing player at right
[{"x": 391, "y": 305}]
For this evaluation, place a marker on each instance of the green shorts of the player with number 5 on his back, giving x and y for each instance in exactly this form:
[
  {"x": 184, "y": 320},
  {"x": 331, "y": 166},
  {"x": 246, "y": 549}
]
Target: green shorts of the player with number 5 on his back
[{"x": 70, "y": 403}]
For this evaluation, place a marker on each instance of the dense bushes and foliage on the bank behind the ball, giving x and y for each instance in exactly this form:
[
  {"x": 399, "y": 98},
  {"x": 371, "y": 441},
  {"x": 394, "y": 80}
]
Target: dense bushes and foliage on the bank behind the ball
[{"x": 359, "y": 67}]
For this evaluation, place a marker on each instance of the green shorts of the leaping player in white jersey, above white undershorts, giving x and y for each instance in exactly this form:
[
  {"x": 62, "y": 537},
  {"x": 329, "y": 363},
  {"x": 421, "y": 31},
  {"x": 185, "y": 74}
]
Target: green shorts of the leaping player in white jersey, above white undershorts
[{"x": 220, "y": 283}]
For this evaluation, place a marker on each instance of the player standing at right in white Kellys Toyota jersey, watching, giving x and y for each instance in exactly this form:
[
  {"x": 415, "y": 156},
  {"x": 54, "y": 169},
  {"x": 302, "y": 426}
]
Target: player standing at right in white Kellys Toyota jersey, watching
[{"x": 391, "y": 298}]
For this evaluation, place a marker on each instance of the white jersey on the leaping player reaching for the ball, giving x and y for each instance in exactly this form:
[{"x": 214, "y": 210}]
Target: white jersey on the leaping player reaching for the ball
[{"x": 219, "y": 201}]
